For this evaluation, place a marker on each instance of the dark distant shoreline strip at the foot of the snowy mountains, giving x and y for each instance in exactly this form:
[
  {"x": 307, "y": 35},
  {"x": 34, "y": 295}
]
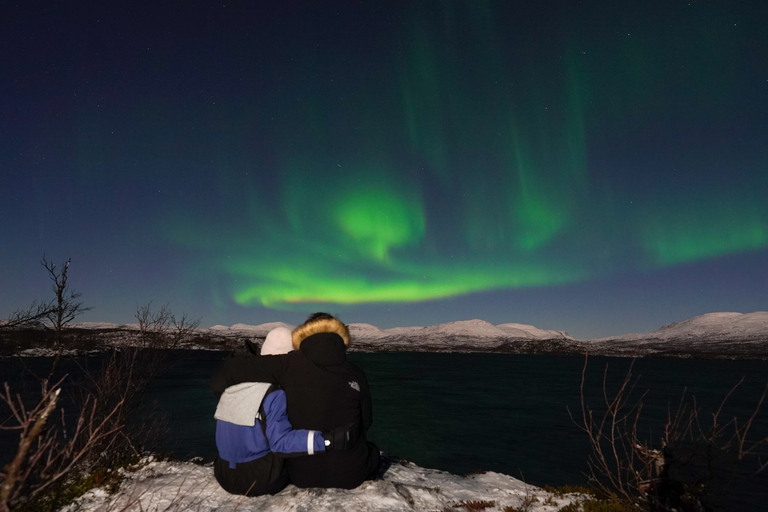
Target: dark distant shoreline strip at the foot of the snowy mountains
[{"x": 89, "y": 340}]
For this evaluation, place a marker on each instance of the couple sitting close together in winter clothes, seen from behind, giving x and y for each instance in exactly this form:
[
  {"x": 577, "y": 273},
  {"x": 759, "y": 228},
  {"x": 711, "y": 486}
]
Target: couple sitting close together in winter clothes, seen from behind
[{"x": 295, "y": 416}]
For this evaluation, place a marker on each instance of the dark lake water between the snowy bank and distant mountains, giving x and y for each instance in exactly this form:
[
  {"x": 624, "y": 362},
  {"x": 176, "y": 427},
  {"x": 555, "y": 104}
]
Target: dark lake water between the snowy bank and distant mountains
[{"x": 498, "y": 412}]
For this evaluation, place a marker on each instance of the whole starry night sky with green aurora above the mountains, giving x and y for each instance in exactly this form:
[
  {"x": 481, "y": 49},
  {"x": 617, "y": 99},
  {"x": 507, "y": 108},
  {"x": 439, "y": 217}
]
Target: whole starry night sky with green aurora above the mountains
[{"x": 596, "y": 167}]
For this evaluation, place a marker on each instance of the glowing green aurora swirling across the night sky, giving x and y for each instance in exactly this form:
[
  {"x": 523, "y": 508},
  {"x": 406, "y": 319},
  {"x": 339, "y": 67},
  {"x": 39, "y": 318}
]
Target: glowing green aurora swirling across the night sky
[{"x": 478, "y": 163}]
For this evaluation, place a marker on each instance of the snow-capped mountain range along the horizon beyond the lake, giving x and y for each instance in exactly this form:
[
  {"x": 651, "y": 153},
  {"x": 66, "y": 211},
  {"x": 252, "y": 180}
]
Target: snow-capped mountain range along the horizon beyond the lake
[{"x": 719, "y": 335}]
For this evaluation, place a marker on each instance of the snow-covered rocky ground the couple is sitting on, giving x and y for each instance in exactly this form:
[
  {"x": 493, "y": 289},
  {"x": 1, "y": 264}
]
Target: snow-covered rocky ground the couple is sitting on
[{"x": 176, "y": 486}]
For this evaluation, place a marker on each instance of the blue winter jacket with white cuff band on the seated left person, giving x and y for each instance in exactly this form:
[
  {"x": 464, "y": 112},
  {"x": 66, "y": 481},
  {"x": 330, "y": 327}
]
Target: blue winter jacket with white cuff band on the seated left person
[{"x": 238, "y": 443}]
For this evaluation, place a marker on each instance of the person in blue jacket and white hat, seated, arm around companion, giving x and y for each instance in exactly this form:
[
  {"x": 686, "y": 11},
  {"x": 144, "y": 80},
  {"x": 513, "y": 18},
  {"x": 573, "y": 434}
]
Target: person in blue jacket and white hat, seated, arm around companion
[{"x": 253, "y": 434}]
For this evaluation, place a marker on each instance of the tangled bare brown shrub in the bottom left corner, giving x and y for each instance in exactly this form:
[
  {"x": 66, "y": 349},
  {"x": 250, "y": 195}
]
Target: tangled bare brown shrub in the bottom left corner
[{"x": 85, "y": 428}]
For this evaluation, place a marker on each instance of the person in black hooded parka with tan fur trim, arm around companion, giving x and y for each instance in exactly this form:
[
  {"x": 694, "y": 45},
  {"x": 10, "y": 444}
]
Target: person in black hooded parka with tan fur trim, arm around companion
[{"x": 324, "y": 392}]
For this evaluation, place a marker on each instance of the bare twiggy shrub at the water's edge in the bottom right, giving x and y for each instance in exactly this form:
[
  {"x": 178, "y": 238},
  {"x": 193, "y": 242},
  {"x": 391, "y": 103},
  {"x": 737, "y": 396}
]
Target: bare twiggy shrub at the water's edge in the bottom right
[{"x": 693, "y": 461}]
